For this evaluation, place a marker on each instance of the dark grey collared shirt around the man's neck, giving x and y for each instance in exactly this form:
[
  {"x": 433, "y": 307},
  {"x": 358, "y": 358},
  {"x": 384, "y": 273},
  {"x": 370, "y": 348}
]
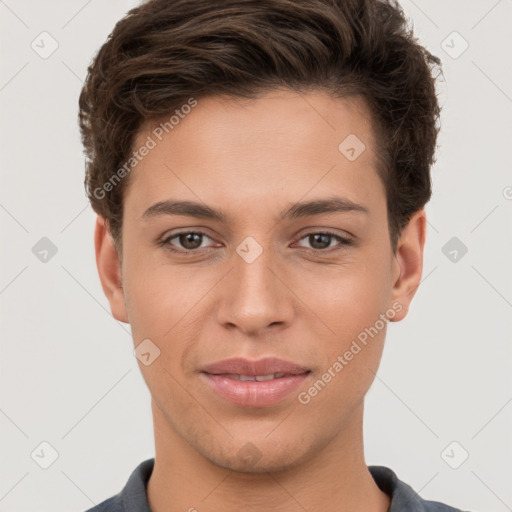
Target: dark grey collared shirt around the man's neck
[{"x": 133, "y": 497}]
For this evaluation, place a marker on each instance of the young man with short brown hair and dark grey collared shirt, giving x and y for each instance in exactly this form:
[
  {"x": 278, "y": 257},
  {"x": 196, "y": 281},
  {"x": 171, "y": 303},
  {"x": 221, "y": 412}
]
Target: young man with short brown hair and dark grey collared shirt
[{"x": 259, "y": 170}]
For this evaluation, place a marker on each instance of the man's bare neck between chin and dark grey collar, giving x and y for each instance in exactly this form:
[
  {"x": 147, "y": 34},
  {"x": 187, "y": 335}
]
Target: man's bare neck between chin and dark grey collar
[{"x": 333, "y": 479}]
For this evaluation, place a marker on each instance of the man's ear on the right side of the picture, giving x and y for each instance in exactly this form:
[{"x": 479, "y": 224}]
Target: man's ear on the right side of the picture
[{"x": 408, "y": 264}]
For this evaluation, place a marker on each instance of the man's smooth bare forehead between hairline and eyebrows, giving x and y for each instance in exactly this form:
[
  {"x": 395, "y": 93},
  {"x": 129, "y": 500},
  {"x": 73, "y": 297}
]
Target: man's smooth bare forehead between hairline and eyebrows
[{"x": 281, "y": 145}]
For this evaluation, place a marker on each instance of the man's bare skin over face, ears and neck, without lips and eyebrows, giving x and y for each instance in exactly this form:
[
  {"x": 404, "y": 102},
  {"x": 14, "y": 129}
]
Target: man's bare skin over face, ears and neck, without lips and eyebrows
[{"x": 299, "y": 300}]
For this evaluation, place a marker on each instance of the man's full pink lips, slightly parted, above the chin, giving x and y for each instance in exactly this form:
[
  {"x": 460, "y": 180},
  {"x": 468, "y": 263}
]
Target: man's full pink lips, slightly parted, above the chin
[{"x": 254, "y": 393}]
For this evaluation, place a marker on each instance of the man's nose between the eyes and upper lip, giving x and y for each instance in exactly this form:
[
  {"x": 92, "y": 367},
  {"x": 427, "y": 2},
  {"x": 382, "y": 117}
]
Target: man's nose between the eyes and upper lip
[{"x": 256, "y": 296}]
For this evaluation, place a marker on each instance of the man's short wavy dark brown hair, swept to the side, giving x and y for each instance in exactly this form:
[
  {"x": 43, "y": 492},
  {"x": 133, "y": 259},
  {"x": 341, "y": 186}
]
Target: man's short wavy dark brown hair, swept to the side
[{"x": 165, "y": 52}]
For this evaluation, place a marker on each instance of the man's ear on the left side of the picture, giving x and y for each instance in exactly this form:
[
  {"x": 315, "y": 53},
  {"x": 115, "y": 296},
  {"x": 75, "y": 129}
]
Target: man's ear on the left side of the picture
[{"x": 109, "y": 270}]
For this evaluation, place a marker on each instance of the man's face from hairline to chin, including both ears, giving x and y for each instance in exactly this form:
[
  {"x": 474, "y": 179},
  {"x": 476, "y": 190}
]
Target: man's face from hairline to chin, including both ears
[{"x": 296, "y": 264}]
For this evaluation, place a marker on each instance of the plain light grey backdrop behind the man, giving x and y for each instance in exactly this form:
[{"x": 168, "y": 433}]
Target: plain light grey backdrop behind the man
[{"x": 68, "y": 374}]
